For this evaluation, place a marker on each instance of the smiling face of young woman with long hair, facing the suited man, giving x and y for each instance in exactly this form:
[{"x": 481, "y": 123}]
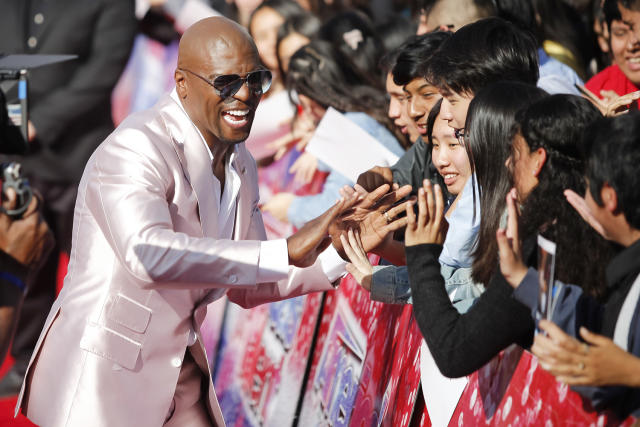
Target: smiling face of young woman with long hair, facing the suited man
[{"x": 449, "y": 157}]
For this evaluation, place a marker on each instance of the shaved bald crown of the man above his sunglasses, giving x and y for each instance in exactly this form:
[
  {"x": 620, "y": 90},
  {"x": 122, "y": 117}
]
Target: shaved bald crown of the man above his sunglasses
[{"x": 212, "y": 37}]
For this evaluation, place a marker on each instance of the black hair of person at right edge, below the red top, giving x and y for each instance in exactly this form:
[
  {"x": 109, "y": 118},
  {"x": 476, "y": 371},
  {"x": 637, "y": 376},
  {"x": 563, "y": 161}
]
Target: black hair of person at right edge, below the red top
[{"x": 612, "y": 147}]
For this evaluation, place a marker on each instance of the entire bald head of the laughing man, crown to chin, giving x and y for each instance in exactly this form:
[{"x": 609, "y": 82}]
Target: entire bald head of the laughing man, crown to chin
[{"x": 217, "y": 48}]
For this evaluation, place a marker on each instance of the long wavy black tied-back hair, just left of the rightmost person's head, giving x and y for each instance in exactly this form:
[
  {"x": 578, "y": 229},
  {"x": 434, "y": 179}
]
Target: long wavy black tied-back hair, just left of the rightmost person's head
[{"x": 557, "y": 124}]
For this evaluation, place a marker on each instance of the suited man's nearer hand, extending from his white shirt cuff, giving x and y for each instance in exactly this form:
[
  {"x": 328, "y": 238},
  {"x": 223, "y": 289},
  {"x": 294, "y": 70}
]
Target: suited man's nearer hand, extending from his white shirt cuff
[{"x": 309, "y": 241}]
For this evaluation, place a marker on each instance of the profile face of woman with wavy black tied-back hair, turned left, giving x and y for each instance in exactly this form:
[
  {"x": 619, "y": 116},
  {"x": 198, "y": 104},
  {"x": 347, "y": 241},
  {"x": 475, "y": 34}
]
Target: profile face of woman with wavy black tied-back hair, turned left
[{"x": 524, "y": 167}]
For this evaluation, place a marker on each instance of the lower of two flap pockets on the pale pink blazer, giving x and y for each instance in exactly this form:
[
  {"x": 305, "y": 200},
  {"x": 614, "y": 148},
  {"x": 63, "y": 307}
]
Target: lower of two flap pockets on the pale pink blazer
[{"x": 111, "y": 345}]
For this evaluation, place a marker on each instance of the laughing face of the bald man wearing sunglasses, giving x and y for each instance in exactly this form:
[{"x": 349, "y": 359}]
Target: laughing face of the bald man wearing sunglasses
[{"x": 226, "y": 120}]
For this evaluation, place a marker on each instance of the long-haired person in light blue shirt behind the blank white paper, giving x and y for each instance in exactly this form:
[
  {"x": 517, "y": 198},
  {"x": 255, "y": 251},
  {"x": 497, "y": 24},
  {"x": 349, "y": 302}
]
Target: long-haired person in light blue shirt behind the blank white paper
[{"x": 320, "y": 81}]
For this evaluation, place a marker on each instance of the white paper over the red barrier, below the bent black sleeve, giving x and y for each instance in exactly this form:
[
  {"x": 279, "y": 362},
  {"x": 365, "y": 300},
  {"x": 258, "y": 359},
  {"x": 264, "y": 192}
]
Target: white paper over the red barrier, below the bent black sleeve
[{"x": 441, "y": 394}]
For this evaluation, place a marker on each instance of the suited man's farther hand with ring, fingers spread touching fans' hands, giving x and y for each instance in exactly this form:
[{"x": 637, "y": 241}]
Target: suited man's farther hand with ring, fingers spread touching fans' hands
[{"x": 373, "y": 217}]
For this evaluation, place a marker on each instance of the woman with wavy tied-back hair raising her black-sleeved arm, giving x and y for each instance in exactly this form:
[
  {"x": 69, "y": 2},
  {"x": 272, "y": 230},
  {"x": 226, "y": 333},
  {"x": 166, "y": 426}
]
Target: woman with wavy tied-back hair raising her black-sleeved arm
[{"x": 462, "y": 343}]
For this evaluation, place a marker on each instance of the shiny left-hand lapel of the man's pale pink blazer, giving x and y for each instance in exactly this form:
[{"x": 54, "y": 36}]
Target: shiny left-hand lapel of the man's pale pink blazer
[{"x": 195, "y": 162}]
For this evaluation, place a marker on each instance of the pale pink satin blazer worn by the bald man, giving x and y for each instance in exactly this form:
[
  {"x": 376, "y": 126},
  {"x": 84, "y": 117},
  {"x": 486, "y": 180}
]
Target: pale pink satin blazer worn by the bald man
[{"x": 145, "y": 262}]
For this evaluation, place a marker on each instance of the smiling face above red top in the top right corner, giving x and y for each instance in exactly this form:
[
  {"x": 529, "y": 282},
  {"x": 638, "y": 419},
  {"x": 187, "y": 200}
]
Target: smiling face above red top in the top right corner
[{"x": 625, "y": 43}]
